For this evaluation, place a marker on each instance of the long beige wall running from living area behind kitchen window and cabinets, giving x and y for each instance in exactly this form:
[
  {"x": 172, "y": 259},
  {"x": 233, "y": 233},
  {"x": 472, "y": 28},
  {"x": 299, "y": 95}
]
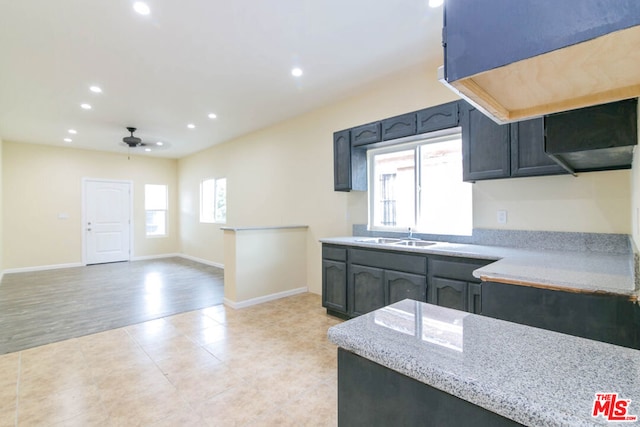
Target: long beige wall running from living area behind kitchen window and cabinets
[{"x": 284, "y": 175}]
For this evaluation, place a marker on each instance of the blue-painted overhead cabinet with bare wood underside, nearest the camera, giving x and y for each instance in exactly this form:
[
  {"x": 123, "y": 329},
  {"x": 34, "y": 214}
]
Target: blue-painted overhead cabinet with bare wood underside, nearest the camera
[{"x": 515, "y": 60}]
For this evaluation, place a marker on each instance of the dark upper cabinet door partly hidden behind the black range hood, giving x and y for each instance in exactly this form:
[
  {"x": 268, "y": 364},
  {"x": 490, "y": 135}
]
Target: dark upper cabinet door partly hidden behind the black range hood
[{"x": 527, "y": 150}]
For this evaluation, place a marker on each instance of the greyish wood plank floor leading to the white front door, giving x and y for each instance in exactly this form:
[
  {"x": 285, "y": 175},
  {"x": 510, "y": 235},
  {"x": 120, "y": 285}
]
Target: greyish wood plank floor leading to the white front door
[{"x": 47, "y": 306}]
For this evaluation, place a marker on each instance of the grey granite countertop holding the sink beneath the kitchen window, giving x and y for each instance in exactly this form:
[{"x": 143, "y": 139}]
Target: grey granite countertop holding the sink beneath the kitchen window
[{"x": 566, "y": 270}]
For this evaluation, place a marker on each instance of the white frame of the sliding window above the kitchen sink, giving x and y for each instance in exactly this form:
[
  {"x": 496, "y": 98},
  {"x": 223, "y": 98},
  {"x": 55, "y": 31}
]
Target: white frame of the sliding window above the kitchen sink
[{"x": 414, "y": 143}]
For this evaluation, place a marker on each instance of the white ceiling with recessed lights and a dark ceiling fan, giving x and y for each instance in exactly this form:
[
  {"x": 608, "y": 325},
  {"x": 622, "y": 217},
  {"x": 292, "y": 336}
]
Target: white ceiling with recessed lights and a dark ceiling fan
[{"x": 189, "y": 58}]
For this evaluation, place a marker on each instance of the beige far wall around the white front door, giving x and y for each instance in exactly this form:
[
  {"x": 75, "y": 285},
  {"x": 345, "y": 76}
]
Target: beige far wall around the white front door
[{"x": 40, "y": 182}]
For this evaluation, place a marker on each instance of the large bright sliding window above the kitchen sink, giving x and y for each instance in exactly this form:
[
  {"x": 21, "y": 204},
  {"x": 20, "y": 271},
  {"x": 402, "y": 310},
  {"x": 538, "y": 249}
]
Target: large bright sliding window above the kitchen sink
[{"x": 419, "y": 185}]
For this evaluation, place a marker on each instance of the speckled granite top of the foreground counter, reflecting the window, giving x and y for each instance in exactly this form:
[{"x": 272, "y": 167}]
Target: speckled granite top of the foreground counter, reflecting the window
[{"x": 532, "y": 376}]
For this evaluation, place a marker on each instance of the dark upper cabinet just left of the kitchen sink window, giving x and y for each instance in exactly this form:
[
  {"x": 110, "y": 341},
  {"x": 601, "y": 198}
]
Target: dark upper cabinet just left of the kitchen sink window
[{"x": 349, "y": 164}]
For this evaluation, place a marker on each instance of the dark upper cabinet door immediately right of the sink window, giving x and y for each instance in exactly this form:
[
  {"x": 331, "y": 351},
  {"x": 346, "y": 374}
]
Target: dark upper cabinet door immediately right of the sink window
[{"x": 485, "y": 147}]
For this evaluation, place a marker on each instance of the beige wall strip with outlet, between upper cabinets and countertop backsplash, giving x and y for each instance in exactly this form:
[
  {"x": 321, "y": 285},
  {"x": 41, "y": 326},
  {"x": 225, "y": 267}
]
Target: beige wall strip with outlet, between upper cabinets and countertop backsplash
[{"x": 596, "y": 202}]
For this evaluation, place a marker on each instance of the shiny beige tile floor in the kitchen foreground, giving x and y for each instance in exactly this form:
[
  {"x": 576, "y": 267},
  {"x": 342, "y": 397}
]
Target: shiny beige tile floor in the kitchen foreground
[{"x": 266, "y": 365}]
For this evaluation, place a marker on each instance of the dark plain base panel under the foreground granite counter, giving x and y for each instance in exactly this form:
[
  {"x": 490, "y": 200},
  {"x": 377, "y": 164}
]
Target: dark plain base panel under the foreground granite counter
[{"x": 372, "y": 395}]
